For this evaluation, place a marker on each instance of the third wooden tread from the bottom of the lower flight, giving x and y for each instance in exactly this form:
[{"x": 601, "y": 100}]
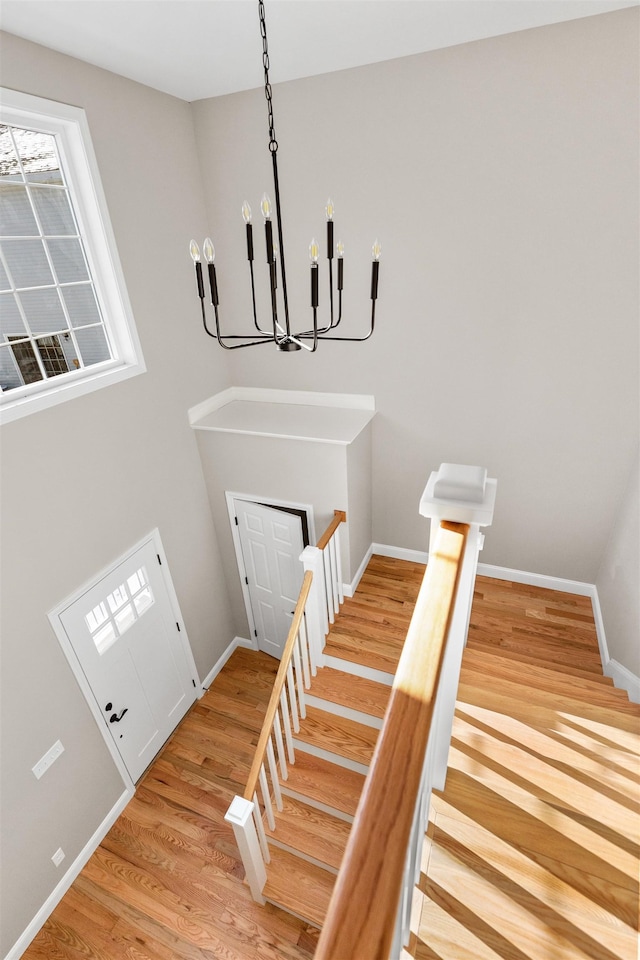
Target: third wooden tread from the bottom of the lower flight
[{"x": 325, "y": 782}]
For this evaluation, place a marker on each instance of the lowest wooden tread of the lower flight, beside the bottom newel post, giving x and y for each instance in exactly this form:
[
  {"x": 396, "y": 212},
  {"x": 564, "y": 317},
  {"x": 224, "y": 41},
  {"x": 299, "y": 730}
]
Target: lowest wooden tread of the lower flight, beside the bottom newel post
[{"x": 299, "y": 887}]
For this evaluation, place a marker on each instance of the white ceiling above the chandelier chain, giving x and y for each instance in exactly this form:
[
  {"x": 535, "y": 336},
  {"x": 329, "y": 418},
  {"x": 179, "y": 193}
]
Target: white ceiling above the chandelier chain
[{"x": 204, "y": 48}]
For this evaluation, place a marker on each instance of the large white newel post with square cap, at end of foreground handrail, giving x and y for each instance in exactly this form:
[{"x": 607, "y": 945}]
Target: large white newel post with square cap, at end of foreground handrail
[{"x": 463, "y": 494}]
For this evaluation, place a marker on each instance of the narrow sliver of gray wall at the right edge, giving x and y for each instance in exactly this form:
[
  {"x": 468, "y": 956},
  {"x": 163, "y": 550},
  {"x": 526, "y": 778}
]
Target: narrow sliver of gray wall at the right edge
[{"x": 618, "y": 580}]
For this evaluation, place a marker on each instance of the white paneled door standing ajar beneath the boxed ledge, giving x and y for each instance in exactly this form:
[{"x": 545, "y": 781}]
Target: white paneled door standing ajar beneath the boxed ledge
[{"x": 271, "y": 542}]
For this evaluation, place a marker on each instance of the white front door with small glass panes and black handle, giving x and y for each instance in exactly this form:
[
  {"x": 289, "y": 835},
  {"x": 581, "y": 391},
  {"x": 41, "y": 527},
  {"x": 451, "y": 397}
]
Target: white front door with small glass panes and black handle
[{"x": 124, "y": 632}]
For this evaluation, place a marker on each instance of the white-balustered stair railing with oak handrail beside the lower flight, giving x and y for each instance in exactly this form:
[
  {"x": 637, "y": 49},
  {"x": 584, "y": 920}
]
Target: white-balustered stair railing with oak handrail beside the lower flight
[{"x": 320, "y": 596}]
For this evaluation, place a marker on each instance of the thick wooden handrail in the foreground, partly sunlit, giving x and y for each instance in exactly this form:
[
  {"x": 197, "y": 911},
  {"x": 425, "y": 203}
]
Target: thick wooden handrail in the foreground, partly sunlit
[{"x": 362, "y": 914}]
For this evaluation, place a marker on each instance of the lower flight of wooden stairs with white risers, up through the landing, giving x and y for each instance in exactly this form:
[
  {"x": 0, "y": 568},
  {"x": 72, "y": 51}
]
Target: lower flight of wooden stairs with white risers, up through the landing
[{"x": 334, "y": 746}]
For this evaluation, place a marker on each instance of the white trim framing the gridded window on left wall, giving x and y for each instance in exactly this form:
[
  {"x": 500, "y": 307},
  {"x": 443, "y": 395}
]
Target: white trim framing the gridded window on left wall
[{"x": 69, "y": 125}]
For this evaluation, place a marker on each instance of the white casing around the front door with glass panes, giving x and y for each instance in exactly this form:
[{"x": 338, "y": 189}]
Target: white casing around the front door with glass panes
[{"x": 74, "y": 663}]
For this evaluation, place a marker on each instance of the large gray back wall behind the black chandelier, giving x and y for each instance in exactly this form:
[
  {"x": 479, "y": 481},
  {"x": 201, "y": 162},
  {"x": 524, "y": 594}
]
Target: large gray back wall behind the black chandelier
[{"x": 502, "y": 180}]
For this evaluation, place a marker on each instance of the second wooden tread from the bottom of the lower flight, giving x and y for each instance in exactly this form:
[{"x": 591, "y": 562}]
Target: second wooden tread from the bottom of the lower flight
[{"x": 310, "y": 832}]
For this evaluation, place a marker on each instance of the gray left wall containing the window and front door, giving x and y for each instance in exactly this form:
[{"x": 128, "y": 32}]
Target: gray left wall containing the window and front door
[{"x": 87, "y": 479}]
